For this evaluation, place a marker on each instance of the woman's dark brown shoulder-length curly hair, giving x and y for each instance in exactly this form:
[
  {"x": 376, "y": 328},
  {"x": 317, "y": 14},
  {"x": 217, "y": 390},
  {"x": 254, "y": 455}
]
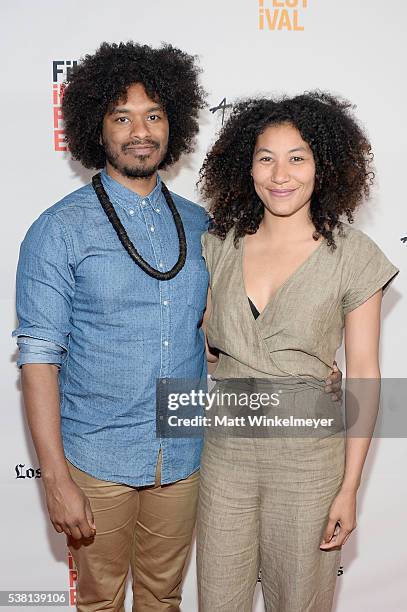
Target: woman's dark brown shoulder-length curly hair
[{"x": 341, "y": 151}]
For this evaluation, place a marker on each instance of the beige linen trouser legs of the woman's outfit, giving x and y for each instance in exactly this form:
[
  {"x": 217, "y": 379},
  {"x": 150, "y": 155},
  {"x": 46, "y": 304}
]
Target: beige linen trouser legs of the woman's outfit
[{"x": 264, "y": 503}]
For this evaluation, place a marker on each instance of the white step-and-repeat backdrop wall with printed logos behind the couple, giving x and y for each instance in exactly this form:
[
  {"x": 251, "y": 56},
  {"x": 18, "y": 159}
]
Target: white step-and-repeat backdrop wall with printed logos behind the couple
[{"x": 354, "y": 48}]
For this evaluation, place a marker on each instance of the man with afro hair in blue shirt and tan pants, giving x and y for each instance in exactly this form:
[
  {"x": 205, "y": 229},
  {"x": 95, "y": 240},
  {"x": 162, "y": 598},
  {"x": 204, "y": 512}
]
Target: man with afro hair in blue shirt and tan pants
[{"x": 111, "y": 289}]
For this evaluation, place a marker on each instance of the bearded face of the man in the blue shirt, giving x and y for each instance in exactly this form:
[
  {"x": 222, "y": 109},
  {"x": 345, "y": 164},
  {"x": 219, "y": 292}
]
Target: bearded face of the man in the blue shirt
[{"x": 135, "y": 134}]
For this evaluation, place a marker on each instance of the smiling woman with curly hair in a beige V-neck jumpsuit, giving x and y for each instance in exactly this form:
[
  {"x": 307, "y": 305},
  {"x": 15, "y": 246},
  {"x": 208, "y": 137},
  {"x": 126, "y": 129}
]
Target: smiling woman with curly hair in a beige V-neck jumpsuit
[{"x": 286, "y": 276}]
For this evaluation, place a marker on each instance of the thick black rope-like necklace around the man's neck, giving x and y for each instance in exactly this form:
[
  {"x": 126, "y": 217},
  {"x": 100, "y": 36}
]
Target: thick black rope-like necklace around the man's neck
[{"x": 127, "y": 243}]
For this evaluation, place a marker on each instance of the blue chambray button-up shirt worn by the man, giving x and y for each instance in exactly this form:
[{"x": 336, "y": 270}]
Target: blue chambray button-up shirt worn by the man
[{"x": 83, "y": 304}]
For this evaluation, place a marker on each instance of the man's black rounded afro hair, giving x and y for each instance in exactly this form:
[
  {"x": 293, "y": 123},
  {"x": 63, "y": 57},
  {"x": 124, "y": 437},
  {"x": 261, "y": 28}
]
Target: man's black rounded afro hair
[{"x": 169, "y": 76}]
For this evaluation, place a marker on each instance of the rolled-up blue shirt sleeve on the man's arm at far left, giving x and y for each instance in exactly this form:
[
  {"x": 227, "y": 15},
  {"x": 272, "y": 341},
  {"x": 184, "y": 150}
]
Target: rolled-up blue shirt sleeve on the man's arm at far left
[{"x": 45, "y": 287}]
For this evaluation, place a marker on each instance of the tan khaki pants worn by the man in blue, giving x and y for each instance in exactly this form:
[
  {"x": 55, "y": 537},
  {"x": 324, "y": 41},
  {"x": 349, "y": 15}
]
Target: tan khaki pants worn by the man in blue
[{"x": 149, "y": 529}]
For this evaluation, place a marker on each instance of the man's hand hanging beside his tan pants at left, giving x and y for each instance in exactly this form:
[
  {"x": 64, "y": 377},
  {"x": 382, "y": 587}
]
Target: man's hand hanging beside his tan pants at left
[{"x": 69, "y": 509}]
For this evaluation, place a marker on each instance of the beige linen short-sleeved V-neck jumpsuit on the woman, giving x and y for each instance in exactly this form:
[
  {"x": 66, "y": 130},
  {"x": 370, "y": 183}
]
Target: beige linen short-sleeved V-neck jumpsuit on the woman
[{"x": 264, "y": 502}]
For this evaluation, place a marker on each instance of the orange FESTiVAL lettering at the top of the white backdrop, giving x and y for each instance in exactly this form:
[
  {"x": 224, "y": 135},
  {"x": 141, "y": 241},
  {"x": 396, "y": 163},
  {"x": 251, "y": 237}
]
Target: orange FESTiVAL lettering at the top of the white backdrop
[{"x": 281, "y": 14}]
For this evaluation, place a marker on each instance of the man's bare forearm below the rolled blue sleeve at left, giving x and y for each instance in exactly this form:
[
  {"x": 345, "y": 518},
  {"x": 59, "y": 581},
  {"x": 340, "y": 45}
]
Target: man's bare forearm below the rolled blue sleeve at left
[{"x": 41, "y": 398}]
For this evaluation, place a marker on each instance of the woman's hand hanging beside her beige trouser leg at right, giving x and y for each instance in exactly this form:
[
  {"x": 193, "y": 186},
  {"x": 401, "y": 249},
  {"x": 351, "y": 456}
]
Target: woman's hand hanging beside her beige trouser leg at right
[{"x": 341, "y": 520}]
